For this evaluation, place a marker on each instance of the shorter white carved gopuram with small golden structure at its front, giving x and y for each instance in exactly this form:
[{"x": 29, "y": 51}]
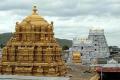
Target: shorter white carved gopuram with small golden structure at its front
[{"x": 86, "y": 49}]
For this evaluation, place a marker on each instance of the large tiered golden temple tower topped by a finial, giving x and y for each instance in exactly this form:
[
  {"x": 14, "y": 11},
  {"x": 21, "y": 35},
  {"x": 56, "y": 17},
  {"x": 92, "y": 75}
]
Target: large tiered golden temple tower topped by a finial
[{"x": 33, "y": 49}]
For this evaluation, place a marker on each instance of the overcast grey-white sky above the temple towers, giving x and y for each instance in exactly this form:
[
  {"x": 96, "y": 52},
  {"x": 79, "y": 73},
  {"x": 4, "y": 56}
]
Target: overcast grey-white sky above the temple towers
[{"x": 72, "y": 18}]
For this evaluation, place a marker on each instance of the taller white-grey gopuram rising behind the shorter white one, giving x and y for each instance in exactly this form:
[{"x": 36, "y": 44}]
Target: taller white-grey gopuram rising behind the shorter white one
[{"x": 99, "y": 41}]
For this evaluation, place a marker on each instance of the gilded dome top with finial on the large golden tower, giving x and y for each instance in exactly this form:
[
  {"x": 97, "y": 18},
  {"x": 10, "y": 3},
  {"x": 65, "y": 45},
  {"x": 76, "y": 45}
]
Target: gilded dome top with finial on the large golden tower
[{"x": 35, "y": 19}]
